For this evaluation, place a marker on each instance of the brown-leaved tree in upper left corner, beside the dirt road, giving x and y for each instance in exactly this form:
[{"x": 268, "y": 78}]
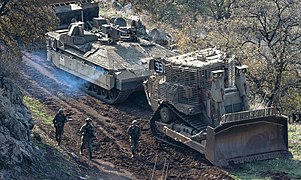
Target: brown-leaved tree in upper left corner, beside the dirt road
[{"x": 23, "y": 24}]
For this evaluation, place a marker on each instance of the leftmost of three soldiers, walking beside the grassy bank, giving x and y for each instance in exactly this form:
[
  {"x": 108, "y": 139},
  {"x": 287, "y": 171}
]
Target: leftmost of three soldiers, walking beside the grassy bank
[{"x": 59, "y": 122}]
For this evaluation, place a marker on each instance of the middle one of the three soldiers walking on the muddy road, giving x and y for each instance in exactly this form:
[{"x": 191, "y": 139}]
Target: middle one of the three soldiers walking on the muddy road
[{"x": 87, "y": 131}]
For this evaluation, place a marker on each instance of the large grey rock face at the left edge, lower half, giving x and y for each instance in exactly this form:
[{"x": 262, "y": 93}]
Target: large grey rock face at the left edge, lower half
[{"x": 16, "y": 149}]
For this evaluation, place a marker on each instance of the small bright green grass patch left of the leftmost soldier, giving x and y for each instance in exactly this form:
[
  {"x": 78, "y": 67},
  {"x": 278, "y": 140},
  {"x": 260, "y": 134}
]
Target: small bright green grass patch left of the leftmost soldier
[{"x": 38, "y": 110}]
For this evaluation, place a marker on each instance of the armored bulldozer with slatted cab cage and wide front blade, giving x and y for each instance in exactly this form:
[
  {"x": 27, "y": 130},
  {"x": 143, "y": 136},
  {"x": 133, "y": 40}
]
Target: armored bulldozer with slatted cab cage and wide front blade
[{"x": 200, "y": 99}]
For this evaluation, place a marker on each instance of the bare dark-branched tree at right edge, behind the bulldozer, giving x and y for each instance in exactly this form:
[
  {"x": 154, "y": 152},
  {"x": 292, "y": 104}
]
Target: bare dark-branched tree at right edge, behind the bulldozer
[{"x": 275, "y": 30}]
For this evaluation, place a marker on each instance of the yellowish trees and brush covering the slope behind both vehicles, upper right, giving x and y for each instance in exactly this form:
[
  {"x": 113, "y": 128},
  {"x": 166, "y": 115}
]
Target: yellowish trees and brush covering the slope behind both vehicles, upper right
[{"x": 263, "y": 34}]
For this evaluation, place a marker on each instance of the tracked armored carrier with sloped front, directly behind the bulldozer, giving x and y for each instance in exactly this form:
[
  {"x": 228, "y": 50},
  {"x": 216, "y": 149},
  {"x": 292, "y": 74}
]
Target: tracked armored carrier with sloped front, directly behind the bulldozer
[{"x": 111, "y": 58}]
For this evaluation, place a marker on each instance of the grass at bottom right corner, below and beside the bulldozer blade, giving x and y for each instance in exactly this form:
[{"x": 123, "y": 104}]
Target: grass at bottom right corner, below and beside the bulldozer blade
[{"x": 288, "y": 167}]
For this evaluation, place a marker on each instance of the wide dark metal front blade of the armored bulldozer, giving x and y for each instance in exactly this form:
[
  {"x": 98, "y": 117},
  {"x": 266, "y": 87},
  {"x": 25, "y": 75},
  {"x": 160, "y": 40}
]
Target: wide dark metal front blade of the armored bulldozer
[{"x": 247, "y": 140}]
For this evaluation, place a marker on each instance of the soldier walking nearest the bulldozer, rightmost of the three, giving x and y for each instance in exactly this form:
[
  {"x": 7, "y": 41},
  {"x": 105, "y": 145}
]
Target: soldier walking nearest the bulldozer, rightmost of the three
[{"x": 134, "y": 132}]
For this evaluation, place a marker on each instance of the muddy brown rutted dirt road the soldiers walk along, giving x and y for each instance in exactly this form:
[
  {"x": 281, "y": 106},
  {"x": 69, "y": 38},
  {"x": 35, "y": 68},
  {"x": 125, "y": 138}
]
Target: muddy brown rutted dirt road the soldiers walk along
[{"x": 56, "y": 89}]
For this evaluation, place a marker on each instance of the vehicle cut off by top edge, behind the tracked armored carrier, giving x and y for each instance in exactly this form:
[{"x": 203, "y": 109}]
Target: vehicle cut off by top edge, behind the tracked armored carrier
[{"x": 71, "y": 10}]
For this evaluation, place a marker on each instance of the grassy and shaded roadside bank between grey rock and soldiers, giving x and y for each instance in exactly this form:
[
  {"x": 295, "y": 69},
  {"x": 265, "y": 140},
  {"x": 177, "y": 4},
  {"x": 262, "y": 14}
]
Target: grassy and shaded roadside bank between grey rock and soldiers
[{"x": 54, "y": 162}]
